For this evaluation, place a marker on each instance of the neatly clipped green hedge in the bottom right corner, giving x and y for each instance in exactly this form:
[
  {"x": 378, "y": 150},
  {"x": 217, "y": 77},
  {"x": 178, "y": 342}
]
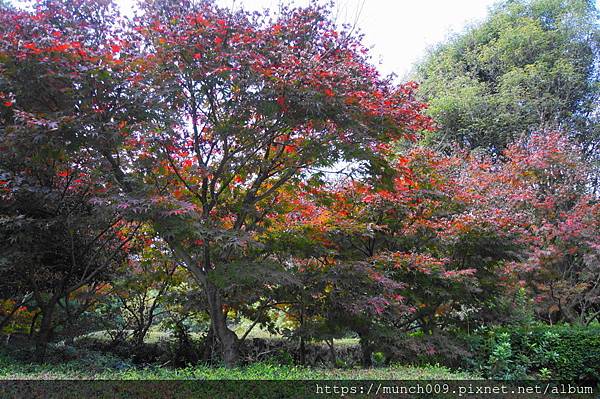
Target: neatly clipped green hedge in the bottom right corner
[{"x": 545, "y": 352}]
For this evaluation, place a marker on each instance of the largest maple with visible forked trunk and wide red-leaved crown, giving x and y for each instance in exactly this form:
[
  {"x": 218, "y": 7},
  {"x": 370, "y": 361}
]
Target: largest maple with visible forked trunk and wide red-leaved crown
[{"x": 202, "y": 115}]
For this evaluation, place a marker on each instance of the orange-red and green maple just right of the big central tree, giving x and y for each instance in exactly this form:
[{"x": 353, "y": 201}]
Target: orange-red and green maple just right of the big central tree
[{"x": 416, "y": 236}]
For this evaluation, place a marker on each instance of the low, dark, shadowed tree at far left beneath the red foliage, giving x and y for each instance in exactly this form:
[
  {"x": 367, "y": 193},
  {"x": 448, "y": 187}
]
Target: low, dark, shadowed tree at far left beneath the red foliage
[{"x": 58, "y": 250}]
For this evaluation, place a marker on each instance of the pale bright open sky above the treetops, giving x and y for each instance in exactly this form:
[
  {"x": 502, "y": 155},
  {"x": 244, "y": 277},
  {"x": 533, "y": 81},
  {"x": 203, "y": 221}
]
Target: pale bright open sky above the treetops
[{"x": 399, "y": 32}]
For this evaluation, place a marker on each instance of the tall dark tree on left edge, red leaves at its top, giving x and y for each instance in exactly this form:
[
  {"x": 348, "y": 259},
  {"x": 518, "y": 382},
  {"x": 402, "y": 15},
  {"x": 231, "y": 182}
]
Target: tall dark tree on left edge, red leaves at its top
[{"x": 59, "y": 246}]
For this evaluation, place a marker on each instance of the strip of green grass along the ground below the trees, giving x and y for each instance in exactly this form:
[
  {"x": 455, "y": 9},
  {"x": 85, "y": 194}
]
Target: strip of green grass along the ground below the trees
[{"x": 103, "y": 367}]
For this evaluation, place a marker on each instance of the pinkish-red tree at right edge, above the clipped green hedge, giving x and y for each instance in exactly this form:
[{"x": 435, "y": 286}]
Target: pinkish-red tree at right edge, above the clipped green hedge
[{"x": 544, "y": 179}]
